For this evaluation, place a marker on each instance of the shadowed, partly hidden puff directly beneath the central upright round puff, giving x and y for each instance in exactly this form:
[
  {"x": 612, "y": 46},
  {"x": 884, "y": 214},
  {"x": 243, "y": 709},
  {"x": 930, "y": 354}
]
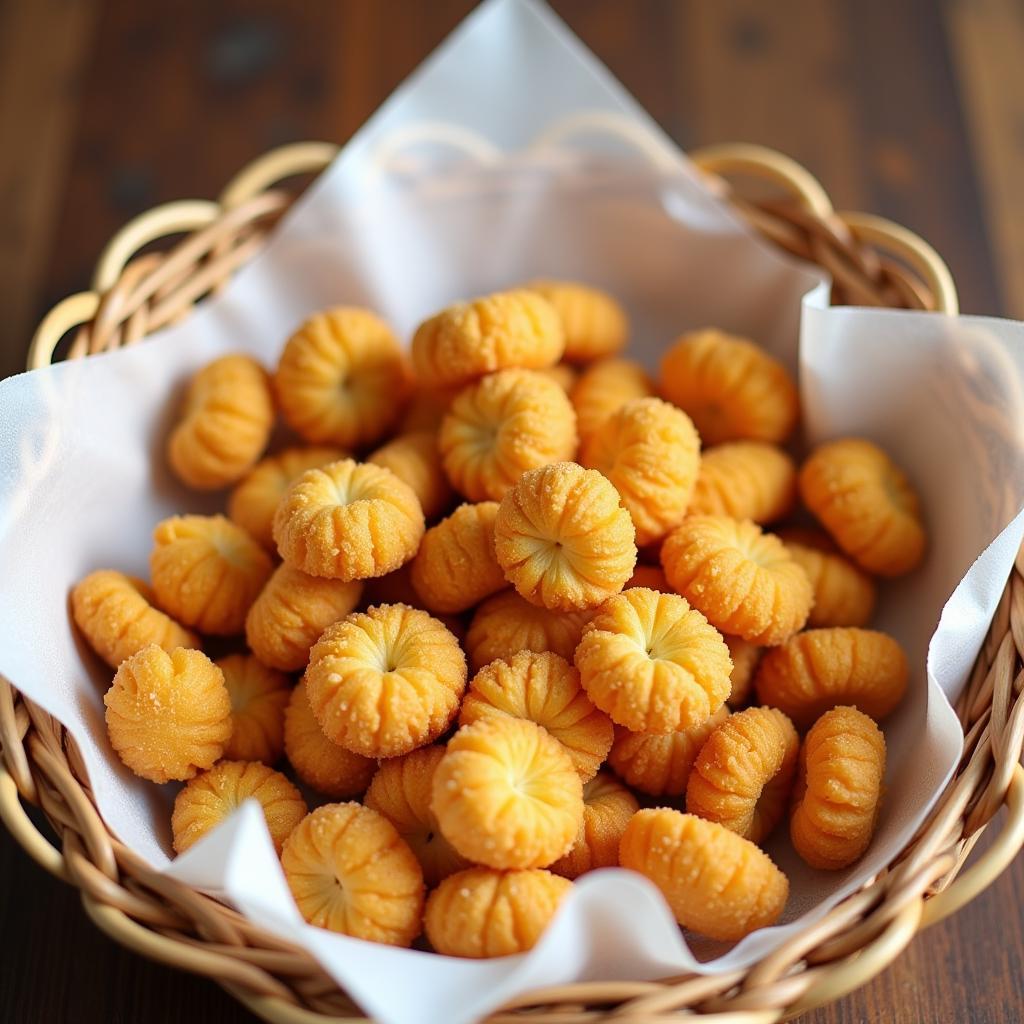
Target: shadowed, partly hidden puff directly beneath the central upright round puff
[{"x": 506, "y": 624}]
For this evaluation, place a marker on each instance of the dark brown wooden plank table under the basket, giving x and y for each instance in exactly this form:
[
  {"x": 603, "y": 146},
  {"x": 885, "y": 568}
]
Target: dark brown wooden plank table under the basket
[{"x": 108, "y": 107}]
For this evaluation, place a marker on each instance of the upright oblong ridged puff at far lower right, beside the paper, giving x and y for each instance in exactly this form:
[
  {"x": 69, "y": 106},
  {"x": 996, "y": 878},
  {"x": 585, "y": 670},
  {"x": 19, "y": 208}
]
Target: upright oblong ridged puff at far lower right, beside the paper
[{"x": 839, "y": 789}]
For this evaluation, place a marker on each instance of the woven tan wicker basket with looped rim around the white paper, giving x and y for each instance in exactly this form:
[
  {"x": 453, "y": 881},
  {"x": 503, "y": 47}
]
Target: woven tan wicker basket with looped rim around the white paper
[{"x": 873, "y": 263}]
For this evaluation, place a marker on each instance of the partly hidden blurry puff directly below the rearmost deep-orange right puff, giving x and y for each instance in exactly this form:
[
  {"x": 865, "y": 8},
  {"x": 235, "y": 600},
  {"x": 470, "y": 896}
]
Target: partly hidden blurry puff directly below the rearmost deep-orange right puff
[{"x": 746, "y": 481}]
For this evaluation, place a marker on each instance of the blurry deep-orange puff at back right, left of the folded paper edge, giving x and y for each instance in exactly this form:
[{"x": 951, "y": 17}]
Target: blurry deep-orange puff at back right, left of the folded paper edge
[{"x": 732, "y": 390}]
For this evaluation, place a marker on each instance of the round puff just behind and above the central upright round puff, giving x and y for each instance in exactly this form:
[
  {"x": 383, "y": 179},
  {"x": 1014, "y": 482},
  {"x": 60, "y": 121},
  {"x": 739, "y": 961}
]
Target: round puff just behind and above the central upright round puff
[{"x": 503, "y": 425}]
